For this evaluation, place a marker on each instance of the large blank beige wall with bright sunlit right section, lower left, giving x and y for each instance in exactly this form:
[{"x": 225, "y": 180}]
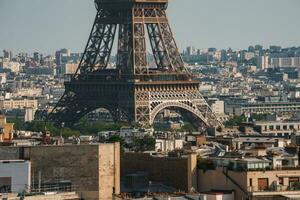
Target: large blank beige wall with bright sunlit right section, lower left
[{"x": 93, "y": 169}]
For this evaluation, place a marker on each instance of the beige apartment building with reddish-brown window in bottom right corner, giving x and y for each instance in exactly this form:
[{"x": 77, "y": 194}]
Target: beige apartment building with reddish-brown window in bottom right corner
[{"x": 252, "y": 184}]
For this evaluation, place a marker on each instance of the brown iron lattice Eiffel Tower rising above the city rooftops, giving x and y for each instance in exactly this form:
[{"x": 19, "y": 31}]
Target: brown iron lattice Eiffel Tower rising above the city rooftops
[{"x": 132, "y": 91}]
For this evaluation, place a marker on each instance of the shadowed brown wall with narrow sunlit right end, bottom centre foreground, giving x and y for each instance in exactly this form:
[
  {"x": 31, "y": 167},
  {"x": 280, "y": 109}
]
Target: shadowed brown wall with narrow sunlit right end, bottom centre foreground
[{"x": 177, "y": 172}]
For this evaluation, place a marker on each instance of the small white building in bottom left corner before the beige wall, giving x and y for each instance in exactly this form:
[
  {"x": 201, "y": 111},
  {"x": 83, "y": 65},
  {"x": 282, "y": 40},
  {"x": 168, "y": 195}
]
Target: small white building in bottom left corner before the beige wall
[{"x": 15, "y": 175}]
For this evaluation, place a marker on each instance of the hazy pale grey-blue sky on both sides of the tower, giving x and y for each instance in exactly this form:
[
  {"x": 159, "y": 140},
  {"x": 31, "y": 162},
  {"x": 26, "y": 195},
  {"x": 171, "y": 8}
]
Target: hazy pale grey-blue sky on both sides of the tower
[{"x": 48, "y": 25}]
